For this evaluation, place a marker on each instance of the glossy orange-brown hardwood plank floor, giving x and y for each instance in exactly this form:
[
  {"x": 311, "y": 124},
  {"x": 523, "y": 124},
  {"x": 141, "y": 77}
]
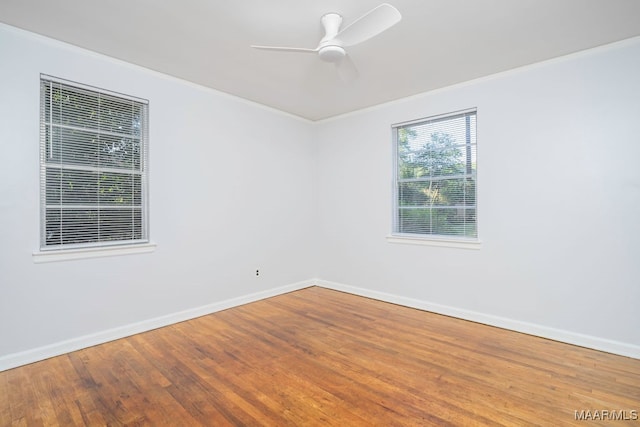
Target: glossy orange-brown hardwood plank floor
[{"x": 321, "y": 357}]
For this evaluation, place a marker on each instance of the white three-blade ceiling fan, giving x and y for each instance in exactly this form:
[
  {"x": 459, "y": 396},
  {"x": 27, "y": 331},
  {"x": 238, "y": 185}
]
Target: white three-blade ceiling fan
[{"x": 332, "y": 46}]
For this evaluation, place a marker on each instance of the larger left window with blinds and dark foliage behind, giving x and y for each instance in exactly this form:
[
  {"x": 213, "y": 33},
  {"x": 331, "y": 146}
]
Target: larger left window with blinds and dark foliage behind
[{"x": 93, "y": 159}]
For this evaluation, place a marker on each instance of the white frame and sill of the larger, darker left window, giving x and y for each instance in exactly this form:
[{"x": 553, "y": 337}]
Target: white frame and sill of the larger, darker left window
[{"x": 97, "y": 247}]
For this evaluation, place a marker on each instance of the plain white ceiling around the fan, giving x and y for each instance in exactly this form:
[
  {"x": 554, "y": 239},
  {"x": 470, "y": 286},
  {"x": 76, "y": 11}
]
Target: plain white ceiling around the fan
[{"x": 438, "y": 42}]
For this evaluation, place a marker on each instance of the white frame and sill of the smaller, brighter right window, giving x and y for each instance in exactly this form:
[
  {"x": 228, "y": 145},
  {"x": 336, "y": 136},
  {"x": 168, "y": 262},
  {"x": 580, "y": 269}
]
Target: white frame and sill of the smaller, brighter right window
[{"x": 452, "y": 241}]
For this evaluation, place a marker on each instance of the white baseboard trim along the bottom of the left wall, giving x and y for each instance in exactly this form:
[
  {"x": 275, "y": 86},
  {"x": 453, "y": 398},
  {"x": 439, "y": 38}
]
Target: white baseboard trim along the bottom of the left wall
[{"x": 41, "y": 353}]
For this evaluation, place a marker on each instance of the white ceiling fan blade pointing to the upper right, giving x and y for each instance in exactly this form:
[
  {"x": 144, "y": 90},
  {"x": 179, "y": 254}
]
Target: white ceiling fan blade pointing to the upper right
[{"x": 369, "y": 25}]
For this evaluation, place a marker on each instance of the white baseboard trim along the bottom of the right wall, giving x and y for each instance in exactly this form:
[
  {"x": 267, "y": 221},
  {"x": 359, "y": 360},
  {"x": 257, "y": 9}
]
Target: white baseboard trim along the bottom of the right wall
[{"x": 588, "y": 341}]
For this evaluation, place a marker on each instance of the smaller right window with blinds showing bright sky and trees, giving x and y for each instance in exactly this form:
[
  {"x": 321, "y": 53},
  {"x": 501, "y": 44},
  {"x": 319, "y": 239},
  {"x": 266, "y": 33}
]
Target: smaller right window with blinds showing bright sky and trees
[{"x": 435, "y": 177}]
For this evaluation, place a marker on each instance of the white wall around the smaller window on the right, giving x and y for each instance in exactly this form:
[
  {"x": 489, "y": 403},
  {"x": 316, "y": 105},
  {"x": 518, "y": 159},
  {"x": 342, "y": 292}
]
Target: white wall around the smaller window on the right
[{"x": 559, "y": 202}]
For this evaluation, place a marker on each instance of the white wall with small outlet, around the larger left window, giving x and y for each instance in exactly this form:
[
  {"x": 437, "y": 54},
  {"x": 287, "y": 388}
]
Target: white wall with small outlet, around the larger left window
[{"x": 231, "y": 190}]
